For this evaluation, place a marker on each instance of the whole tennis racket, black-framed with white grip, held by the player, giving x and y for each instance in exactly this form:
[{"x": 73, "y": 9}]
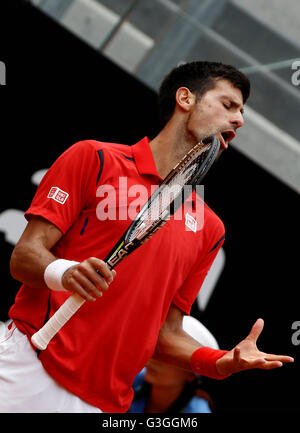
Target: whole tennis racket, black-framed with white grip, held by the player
[{"x": 154, "y": 214}]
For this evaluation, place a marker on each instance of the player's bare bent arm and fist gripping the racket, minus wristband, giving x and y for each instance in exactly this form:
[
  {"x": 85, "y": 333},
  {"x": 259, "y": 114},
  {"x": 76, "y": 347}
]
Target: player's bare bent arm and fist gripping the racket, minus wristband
[{"x": 32, "y": 255}]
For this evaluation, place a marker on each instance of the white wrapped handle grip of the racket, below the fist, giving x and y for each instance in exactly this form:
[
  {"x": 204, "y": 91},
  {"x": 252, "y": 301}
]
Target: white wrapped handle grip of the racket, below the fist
[{"x": 42, "y": 337}]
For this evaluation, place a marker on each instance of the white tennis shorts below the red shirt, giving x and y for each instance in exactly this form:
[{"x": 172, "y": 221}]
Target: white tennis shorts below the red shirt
[{"x": 25, "y": 386}]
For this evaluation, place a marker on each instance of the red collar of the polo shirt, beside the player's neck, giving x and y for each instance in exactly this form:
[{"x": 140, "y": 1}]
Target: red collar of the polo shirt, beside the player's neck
[{"x": 143, "y": 158}]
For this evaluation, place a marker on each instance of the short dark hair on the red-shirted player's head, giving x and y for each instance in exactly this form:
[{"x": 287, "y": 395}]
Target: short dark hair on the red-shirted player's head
[{"x": 198, "y": 77}]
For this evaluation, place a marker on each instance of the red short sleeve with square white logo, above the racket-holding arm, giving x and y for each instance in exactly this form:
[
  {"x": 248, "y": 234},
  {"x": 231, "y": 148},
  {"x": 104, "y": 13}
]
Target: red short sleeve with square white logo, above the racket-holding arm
[{"x": 67, "y": 187}]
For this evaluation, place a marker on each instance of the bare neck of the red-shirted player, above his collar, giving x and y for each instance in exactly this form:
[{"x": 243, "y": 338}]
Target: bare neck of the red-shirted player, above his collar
[{"x": 169, "y": 146}]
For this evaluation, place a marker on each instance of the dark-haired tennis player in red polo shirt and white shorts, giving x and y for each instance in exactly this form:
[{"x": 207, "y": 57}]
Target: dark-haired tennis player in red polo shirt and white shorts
[{"x": 90, "y": 365}]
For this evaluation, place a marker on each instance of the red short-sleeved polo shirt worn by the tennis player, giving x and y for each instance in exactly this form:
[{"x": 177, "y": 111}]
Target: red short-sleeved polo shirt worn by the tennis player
[{"x": 88, "y": 193}]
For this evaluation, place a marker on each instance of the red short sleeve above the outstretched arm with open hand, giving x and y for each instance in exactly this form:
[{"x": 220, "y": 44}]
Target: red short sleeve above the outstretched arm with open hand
[{"x": 186, "y": 295}]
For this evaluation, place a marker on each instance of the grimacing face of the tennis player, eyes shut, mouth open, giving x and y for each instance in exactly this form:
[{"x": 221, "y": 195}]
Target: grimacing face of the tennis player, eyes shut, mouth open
[{"x": 218, "y": 113}]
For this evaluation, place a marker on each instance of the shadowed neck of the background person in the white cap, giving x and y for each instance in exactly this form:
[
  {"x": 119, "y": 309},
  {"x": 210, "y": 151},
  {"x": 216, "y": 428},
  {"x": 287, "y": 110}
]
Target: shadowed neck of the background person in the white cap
[{"x": 162, "y": 397}]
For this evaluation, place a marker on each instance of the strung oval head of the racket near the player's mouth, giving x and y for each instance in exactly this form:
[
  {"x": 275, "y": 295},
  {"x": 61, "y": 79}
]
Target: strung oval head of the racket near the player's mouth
[{"x": 168, "y": 197}]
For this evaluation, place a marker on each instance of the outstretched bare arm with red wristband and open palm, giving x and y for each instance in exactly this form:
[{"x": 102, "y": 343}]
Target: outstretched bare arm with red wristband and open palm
[{"x": 177, "y": 348}]
